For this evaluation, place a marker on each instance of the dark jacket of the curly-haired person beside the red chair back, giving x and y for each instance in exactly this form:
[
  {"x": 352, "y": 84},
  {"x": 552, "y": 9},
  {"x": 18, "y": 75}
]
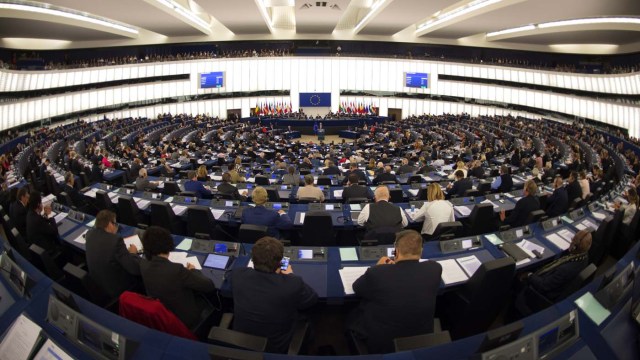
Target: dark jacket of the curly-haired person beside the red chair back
[{"x": 176, "y": 288}]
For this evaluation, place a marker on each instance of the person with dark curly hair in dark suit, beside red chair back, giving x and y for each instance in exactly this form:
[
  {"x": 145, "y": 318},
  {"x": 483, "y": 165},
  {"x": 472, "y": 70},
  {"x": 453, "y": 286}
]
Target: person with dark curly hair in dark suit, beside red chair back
[{"x": 175, "y": 285}]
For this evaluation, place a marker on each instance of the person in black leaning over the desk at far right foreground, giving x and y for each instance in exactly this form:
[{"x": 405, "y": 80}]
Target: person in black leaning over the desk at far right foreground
[{"x": 551, "y": 279}]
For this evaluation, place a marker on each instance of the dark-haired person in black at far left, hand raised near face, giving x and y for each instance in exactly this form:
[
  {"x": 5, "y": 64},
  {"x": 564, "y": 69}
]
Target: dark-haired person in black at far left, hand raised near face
[{"x": 41, "y": 230}]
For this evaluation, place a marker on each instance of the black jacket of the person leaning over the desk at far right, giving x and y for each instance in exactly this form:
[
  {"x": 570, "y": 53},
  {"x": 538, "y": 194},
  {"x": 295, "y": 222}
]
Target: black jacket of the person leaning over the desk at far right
[{"x": 552, "y": 282}]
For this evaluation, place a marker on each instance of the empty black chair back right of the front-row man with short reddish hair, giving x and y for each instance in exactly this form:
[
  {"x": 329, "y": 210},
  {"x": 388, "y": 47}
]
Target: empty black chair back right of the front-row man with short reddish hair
[{"x": 483, "y": 305}]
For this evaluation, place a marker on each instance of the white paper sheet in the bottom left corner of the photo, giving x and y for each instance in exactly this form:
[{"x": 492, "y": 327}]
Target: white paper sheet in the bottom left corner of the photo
[{"x": 20, "y": 339}]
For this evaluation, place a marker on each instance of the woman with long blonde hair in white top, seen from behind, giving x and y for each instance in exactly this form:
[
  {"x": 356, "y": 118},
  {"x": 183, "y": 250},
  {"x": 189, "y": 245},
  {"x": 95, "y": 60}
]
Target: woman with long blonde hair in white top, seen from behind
[{"x": 435, "y": 211}]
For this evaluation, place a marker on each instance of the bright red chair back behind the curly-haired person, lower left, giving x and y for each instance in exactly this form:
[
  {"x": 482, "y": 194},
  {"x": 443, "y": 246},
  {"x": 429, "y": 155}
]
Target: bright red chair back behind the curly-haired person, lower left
[{"x": 152, "y": 313}]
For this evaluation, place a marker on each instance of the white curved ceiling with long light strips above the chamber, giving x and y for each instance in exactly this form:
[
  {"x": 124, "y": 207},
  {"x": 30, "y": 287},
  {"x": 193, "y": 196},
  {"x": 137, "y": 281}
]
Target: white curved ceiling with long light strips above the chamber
[{"x": 158, "y": 22}]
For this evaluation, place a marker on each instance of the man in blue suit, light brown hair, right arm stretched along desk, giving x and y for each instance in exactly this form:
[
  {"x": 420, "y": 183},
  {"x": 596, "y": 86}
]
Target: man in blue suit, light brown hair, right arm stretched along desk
[{"x": 259, "y": 215}]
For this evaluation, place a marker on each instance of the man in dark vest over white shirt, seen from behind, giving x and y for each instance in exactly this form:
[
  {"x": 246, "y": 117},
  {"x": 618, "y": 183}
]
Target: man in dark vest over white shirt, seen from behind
[{"x": 382, "y": 213}]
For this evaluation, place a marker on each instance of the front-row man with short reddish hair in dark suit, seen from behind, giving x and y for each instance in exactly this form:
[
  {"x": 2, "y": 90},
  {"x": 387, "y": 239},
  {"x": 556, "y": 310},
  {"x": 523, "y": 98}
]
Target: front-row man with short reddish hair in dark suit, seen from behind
[{"x": 391, "y": 304}]
